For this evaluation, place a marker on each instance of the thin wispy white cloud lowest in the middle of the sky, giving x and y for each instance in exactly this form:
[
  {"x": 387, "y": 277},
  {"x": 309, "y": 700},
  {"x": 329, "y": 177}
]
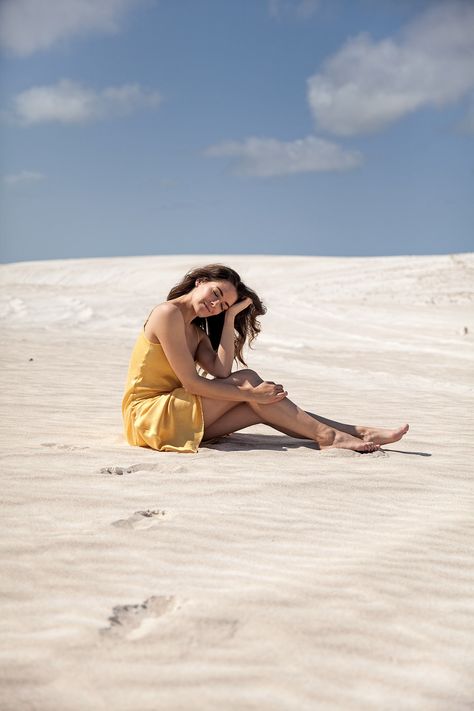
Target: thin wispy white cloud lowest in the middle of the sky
[{"x": 265, "y": 157}]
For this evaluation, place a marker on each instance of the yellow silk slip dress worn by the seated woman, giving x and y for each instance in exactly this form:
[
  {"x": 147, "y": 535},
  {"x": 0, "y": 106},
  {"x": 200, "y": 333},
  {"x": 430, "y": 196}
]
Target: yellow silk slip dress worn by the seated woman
[{"x": 157, "y": 411}]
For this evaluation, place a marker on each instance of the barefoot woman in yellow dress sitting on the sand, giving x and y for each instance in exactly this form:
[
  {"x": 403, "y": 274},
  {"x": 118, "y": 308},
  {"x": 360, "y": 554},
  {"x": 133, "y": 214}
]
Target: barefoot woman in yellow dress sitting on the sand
[{"x": 206, "y": 320}]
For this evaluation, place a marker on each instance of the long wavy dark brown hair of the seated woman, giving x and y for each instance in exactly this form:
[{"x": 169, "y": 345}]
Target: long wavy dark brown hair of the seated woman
[{"x": 246, "y": 324}]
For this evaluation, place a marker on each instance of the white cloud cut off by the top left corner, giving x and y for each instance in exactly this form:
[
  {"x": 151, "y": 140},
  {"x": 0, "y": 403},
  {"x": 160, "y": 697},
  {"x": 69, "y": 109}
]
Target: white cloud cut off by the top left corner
[{"x": 27, "y": 26}]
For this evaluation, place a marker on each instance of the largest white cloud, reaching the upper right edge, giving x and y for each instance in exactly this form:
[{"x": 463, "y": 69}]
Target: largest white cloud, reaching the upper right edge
[{"x": 367, "y": 84}]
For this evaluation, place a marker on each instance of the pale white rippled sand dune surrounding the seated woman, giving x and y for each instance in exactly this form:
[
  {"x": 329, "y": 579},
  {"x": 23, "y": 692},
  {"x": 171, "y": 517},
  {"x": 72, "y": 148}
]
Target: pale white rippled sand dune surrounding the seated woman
[{"x": 271, "y": 576}]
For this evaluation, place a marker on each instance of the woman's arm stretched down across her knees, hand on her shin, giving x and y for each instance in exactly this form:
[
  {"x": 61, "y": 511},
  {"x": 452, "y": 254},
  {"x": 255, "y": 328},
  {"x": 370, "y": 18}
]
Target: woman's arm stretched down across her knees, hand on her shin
[{"x": 169, "y": 329}]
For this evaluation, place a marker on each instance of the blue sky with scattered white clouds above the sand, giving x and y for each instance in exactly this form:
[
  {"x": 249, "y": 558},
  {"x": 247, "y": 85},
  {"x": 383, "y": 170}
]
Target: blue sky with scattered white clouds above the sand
[{"x": 319, "y": 127}]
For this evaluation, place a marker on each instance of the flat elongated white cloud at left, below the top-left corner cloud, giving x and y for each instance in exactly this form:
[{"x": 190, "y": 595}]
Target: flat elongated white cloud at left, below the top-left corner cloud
[{"x": 69, "y": 102}]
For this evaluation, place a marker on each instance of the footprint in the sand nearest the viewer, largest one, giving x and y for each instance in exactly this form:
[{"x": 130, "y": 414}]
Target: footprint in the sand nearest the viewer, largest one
[{"x": 136, "y": 621}]
